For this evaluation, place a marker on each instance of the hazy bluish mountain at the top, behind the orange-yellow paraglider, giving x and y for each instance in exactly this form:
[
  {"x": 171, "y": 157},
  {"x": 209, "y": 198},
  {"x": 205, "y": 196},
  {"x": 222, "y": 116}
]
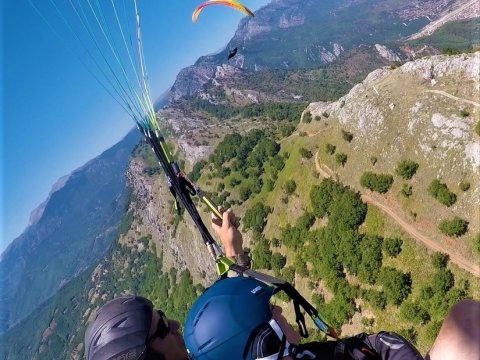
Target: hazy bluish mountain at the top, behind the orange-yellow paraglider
[{"x": 306, "y": 34}]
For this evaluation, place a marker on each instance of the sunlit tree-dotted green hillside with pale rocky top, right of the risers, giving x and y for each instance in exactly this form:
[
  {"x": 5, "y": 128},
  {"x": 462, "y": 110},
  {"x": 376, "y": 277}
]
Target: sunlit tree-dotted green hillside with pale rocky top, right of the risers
[{"x": 362, "y": 269}]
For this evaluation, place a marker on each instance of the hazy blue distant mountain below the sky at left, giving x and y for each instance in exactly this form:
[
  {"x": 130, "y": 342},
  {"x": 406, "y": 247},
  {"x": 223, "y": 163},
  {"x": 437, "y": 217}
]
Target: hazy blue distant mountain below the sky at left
[{"x": 70, "y": 232}]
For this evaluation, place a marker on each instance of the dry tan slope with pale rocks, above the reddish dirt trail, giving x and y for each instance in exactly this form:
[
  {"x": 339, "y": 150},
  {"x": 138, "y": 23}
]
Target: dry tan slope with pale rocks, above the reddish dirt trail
[{"x": 434, "y": 113}]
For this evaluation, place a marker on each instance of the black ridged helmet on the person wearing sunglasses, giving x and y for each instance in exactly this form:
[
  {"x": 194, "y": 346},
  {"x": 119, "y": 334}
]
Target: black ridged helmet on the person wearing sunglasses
[{"x": 120, "y": 329}]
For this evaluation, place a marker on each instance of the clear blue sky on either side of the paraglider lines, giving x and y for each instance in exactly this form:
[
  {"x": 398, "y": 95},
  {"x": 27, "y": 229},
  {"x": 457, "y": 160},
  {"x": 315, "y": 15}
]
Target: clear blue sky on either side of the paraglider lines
[{"x": 55, "y": 116}]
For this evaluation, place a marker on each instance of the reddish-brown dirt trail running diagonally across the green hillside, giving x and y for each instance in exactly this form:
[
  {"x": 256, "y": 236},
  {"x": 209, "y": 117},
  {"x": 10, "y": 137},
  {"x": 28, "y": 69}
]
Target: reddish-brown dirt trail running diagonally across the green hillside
[{"x": 431, "y": 244}]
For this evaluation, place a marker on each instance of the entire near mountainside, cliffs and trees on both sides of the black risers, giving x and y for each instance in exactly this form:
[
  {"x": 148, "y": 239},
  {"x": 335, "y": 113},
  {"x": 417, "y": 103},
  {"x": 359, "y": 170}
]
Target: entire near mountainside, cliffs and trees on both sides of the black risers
[{"x": 296, "y": 181}]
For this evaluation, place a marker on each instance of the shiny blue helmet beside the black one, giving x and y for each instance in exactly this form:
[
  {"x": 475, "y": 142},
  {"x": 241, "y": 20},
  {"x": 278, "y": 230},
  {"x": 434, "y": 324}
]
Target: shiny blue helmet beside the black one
[{"x": 223, "y": 320}]
